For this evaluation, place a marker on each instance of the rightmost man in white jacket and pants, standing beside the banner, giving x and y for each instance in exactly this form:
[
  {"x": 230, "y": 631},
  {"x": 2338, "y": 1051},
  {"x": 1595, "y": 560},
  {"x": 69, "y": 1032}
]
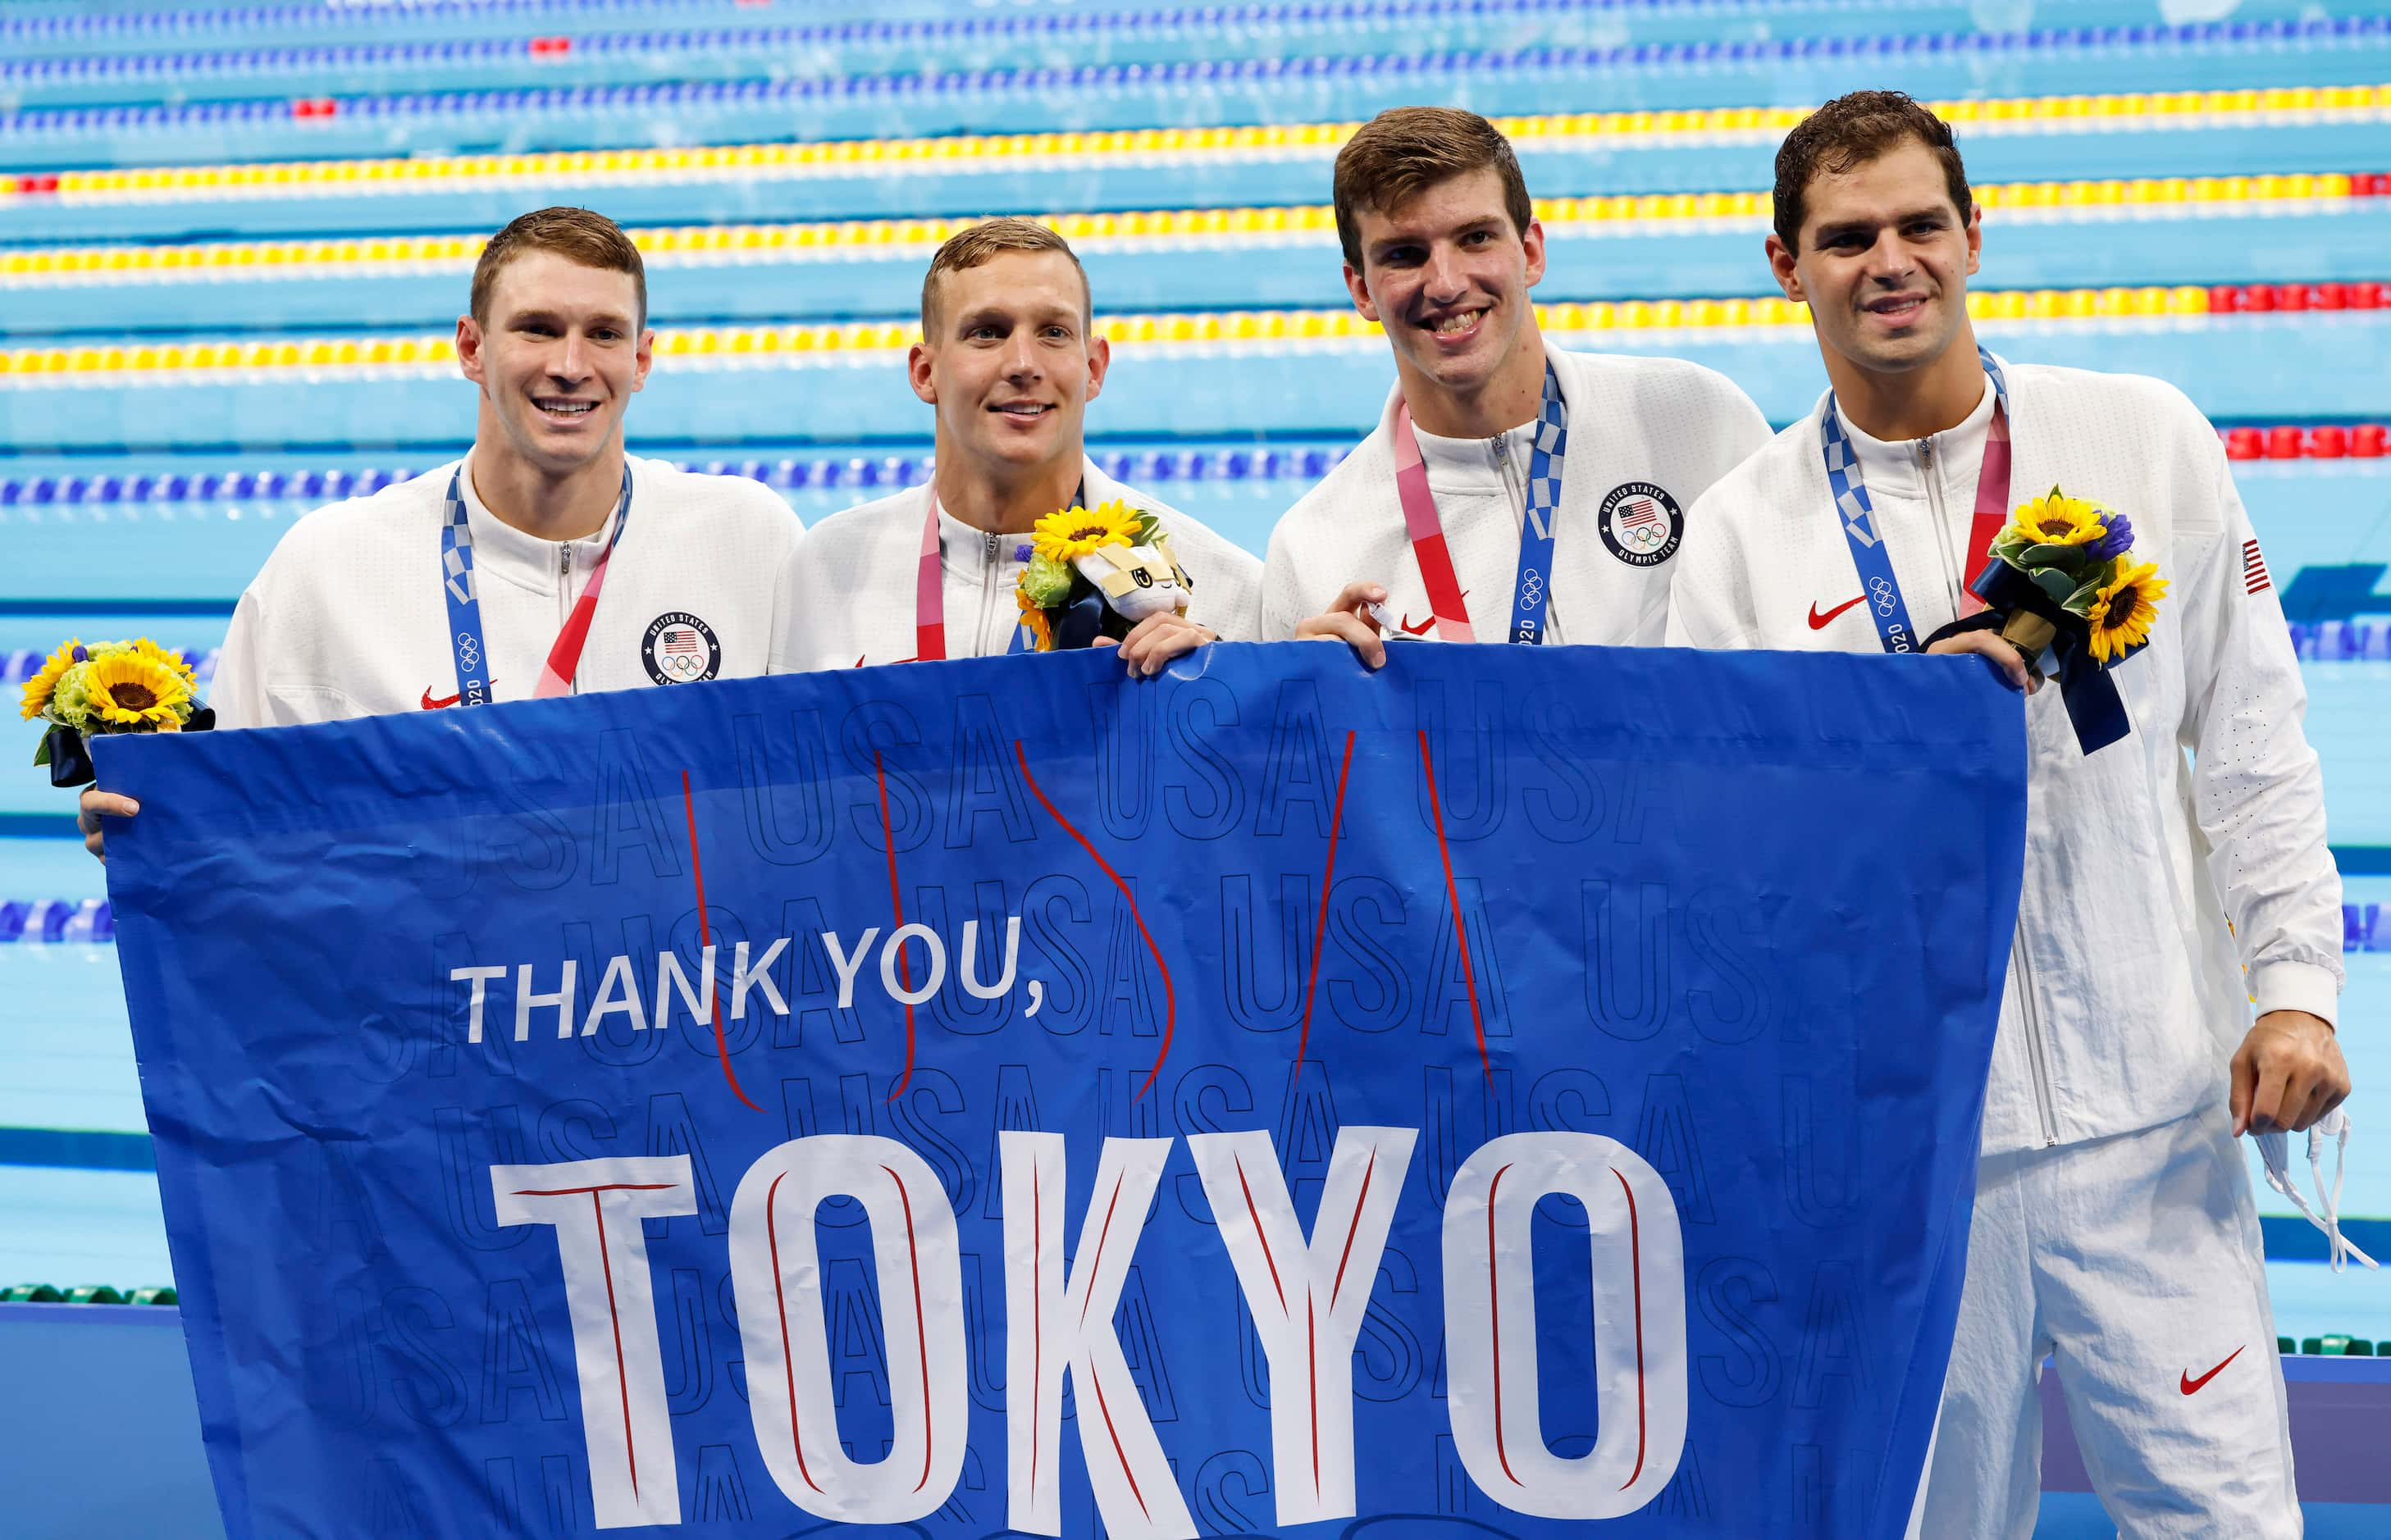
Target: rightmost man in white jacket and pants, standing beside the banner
[{"x": 2163, "y": 898}]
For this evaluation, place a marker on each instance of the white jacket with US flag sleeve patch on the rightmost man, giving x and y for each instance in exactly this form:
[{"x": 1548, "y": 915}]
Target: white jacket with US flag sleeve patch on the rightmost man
[{"x": 2127, "y": 986}]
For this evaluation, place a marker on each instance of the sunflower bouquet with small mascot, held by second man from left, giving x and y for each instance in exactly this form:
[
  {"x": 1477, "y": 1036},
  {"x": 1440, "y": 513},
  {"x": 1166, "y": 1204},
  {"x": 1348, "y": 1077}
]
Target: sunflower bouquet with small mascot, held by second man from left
[{"x": 1096, "y": 573}]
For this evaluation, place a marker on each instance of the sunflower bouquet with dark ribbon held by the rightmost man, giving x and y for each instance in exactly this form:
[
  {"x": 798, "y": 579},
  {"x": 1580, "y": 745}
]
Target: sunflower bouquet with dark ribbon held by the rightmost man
[{"x": 2065, "y": 580}]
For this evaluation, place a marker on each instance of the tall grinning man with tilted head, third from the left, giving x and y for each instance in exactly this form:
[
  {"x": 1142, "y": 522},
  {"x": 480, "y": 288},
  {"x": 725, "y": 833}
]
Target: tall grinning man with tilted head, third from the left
[{"x": 1474, "y": 513}]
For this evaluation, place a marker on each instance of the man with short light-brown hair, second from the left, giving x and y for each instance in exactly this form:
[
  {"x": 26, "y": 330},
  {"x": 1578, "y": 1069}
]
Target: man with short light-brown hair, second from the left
[{"x": 1008, "y": 360}]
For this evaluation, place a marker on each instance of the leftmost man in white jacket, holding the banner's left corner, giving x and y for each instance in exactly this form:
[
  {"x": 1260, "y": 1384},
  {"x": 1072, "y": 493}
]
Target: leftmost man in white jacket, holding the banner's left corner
[{"x": 482, "y": 580}]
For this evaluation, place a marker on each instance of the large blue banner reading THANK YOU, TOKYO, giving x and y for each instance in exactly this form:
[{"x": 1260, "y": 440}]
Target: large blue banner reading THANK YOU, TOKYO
[{"x": 1529, "y": 1092}]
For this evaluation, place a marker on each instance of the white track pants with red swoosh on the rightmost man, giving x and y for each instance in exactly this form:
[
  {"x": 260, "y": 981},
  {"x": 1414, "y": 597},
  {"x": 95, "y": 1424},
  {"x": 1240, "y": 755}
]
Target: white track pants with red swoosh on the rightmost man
[{"x": 2136, "y": 1264}]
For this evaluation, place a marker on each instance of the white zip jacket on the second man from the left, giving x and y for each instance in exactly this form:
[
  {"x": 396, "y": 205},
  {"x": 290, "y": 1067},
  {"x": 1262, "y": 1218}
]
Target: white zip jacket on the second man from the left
[{"x": 848, "y": 599}]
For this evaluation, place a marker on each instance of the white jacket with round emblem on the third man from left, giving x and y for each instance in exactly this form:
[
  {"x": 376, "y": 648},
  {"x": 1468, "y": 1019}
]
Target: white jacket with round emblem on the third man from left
[{"x": 1646, "y": 439}]
